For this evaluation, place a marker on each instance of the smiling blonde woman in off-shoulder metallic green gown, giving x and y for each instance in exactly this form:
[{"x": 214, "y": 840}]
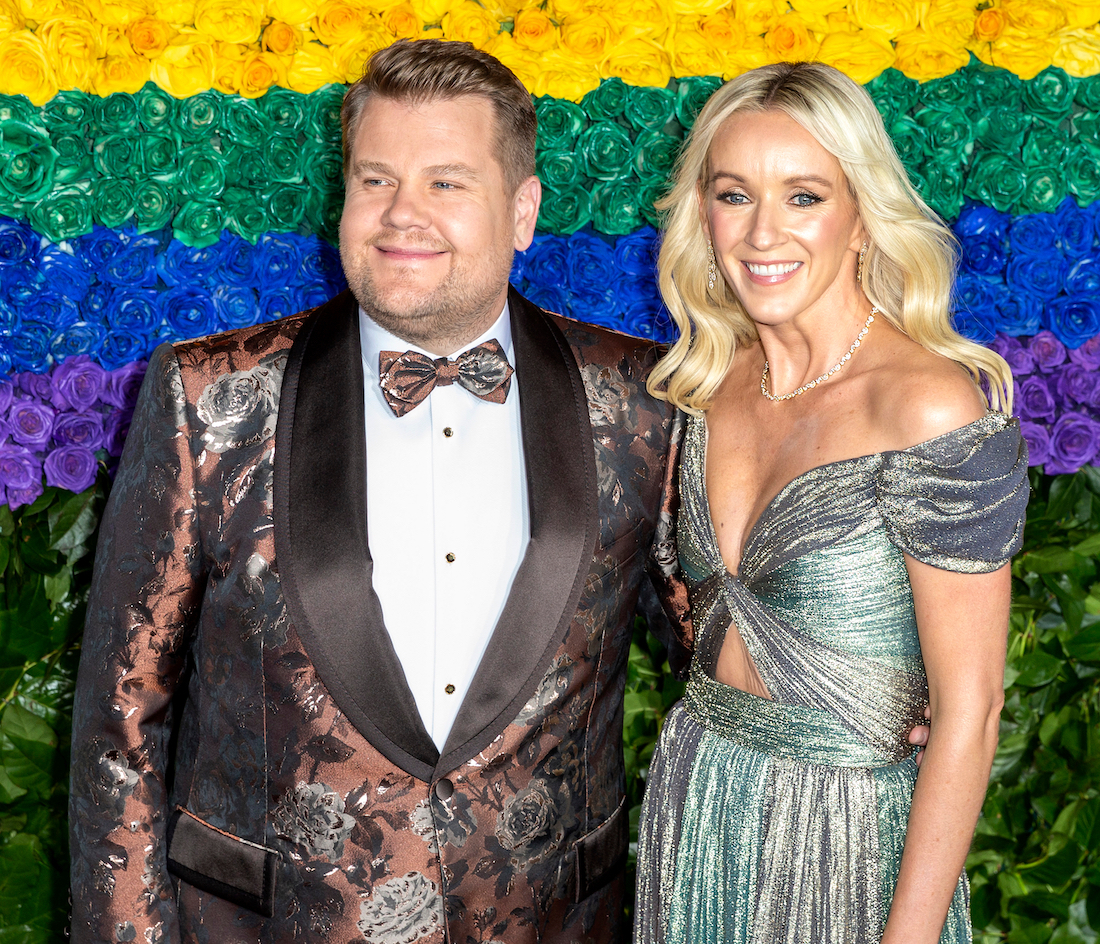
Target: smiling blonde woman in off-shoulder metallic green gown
[{"x": 850, "y": 506}]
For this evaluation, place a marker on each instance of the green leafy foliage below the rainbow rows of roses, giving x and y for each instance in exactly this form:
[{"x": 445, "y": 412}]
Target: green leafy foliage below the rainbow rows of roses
[{"x": 1036, "y": 862}]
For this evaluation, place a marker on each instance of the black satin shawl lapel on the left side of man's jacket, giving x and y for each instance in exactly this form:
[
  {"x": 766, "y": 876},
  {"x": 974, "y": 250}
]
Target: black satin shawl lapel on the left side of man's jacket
[{"x": 322, "y": 537}]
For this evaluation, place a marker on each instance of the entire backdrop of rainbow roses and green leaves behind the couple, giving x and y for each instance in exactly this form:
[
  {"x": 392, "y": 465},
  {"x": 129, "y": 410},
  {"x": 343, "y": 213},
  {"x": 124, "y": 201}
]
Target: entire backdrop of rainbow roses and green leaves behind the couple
[{"x": 171, "y": 170}]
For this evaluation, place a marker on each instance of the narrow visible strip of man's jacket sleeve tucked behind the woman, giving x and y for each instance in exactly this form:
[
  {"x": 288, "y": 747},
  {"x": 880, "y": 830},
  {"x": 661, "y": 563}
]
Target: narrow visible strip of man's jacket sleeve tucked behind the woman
[{"x": 664, "y": 562}]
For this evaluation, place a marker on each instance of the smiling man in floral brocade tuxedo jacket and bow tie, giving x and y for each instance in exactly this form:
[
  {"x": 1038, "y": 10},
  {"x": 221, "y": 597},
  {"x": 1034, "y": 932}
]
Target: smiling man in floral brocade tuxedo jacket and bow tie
[{"x": 355, "y": 657}]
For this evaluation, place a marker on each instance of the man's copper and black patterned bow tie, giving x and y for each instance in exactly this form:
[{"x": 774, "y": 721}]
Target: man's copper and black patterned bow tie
[{"x": 408, "y": 379}]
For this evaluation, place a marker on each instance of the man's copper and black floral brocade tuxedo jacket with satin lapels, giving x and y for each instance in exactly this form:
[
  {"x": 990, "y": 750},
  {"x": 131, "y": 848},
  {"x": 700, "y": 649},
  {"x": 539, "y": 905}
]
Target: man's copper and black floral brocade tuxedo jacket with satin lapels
[{"x": 248, "y": 762}]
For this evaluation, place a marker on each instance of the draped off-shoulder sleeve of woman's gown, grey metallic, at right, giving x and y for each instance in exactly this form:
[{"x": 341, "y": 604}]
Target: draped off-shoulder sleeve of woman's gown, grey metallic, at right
[{"x": 959, "y": 502}]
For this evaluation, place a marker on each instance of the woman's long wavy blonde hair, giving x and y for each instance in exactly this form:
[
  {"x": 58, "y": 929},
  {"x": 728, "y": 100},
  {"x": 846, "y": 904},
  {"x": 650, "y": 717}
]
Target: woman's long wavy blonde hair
[{"x": 909, "y": 271}]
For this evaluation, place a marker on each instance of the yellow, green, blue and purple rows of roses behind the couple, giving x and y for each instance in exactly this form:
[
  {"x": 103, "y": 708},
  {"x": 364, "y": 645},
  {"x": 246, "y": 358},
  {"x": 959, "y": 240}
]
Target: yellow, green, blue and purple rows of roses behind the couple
[{"x": 171, "y": 170}]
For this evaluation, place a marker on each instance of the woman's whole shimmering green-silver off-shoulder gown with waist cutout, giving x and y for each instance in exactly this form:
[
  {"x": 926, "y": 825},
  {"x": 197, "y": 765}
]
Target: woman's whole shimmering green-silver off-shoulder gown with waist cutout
[{"x": 784, "y": 820}]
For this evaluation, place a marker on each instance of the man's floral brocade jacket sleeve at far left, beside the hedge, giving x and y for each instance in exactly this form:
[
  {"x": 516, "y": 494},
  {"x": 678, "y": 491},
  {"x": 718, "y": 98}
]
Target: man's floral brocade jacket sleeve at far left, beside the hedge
[{"x": 147, "y": 589}]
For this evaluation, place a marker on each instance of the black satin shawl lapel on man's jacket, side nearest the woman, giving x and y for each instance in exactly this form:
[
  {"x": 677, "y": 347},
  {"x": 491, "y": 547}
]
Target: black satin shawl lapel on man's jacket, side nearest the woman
[{"x": 563, "y": 497}]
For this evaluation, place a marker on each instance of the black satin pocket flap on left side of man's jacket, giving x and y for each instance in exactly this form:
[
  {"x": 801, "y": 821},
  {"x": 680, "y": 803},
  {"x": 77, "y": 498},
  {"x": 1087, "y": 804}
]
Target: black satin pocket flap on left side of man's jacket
[{"x": 222, "y": 864}]
